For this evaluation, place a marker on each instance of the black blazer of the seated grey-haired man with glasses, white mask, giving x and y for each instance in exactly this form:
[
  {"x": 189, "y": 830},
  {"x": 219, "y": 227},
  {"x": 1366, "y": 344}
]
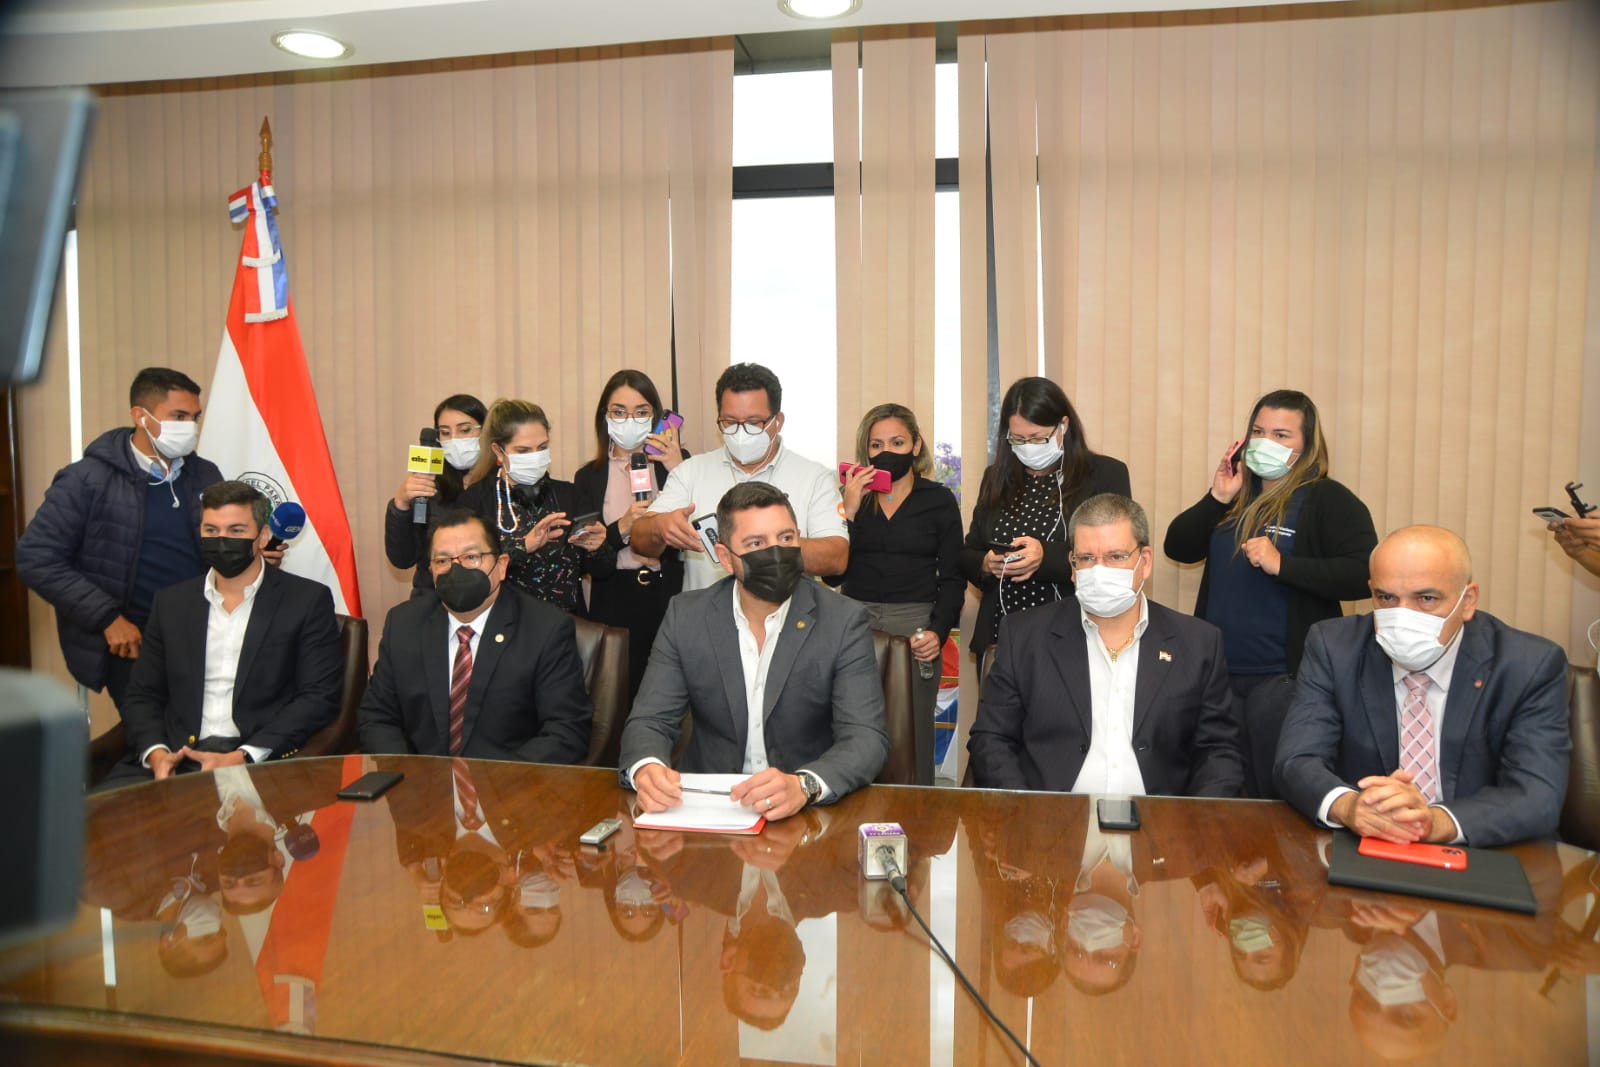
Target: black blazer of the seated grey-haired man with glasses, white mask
[{"x": 1185, "y": 730}]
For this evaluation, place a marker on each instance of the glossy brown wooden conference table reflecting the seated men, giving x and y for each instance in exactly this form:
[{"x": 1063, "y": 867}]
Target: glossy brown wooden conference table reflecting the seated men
[{"x": 399, "y": 938}]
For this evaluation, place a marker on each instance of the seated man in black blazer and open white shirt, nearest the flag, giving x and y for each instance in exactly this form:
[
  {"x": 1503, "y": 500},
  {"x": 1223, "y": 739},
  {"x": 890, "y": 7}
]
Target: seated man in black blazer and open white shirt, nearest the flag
[{"x": 241, "y": 665}]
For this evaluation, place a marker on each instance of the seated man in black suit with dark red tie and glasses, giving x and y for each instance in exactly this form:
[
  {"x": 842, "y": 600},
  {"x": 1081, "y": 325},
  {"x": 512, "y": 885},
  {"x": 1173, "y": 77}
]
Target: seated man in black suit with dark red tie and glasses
[{"x": 481, "y": 671}]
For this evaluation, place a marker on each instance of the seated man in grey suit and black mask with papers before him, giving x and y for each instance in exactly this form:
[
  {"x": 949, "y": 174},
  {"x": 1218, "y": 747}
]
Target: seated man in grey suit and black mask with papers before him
[{"x": 778, "y": 676}]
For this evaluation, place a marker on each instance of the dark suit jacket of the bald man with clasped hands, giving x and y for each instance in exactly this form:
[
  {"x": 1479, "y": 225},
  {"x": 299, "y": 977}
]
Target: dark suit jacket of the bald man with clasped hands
[{"x": 1503, "y": 746}]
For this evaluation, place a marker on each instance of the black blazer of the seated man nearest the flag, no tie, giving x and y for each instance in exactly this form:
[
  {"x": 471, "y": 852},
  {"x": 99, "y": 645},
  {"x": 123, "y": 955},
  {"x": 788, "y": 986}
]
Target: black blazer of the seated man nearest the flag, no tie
[{"x": 290, "y": 668}]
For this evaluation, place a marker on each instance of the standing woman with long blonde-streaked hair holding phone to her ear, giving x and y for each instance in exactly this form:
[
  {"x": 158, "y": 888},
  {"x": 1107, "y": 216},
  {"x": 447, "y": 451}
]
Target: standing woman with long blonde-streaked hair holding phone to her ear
[{"x": 1282, "y": 541}]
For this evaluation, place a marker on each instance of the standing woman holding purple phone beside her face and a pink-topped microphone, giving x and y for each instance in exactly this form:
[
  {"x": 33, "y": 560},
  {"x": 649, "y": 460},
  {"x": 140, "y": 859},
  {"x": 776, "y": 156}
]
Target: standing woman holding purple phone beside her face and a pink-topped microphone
[{"x": 636, "y": 596}]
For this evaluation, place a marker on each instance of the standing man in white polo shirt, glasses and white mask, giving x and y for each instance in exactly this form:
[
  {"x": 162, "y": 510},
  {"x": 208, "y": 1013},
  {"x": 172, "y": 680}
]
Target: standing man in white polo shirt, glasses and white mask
[{"x": 751, "y": 420}]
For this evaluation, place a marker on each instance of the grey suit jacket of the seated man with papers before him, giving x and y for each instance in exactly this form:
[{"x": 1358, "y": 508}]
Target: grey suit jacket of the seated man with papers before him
[{"x": 823, "y": 700}]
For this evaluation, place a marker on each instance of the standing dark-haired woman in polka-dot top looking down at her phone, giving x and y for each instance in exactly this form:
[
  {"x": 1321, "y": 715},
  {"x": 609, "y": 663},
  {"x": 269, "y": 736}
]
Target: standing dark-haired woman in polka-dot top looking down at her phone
[{"x": 1017, "y": 551}]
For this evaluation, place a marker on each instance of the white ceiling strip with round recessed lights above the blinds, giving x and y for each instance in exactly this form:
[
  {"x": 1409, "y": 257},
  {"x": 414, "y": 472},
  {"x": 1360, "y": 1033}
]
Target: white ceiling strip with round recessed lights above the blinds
[{"x": 94, "y": 42}]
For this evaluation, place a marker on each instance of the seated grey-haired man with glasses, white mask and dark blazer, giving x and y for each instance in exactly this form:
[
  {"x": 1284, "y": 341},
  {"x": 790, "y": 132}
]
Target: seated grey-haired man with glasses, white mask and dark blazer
[{"x": 1106, "y": 692}]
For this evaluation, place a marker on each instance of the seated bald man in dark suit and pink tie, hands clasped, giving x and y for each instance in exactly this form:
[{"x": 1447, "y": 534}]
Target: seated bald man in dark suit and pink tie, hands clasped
[{"x": 1431, "y": 721}]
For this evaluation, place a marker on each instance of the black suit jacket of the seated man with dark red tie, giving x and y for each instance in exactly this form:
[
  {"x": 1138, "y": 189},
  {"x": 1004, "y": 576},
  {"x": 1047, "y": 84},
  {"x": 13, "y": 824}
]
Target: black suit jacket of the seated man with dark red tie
[{"x": 527, "y": 700}]
